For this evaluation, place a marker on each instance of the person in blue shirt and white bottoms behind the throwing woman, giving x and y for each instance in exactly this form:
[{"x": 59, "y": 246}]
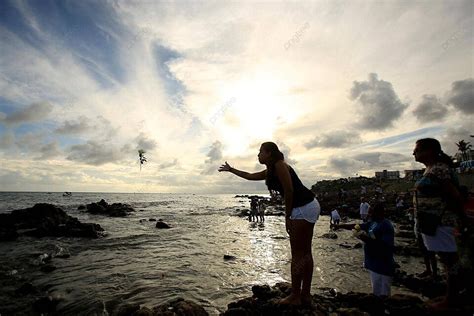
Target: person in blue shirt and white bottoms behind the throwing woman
[{"x": 378, "y": 237}]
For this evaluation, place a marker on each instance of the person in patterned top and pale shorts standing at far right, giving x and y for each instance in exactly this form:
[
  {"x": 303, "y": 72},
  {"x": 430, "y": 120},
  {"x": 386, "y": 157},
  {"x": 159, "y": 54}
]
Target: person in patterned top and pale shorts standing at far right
[{"x": 438, "y": 211}]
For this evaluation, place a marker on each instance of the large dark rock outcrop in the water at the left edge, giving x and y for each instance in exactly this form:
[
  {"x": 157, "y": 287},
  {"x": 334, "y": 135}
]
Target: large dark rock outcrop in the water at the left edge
[{"x": 45, "y": 220}]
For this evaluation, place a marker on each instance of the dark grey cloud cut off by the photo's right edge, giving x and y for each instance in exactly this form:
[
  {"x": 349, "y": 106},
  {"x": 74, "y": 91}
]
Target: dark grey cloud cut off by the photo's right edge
[{"x": 461, "y": 95}]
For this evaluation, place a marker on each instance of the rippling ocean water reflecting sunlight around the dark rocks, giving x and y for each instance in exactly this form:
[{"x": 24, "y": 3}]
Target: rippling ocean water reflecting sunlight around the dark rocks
[{"x": 139, "y": 264}]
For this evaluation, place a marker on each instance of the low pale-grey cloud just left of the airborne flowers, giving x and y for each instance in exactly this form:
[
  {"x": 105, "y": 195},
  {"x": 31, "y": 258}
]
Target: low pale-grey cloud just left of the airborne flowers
[{"x": 96, "y": 154}]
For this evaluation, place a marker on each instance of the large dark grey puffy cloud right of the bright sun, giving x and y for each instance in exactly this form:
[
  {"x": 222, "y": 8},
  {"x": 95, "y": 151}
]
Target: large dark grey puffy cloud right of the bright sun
[{"x": 378, "y": 103}]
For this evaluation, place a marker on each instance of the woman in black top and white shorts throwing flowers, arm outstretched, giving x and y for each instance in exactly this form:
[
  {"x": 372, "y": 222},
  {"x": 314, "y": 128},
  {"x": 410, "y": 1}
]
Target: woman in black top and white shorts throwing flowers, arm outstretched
[{"x": 302, "y": 212}]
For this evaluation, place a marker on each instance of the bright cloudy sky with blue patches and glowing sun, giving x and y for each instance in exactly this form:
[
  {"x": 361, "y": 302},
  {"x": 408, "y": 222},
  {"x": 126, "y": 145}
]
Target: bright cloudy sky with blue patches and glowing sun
[{"x": 344, "y": 88}]
